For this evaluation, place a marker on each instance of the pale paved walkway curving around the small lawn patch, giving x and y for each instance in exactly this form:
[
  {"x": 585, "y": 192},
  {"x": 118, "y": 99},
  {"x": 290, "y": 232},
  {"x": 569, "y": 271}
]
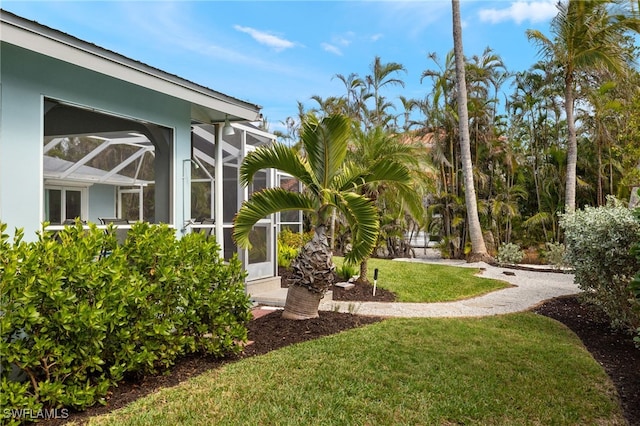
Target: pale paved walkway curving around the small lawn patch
[{"x": 530, "y": 288}]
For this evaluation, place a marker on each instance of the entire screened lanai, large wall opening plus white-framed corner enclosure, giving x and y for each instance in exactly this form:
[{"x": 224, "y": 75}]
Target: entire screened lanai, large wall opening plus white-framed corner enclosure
[{"x": 98, "y": 175}]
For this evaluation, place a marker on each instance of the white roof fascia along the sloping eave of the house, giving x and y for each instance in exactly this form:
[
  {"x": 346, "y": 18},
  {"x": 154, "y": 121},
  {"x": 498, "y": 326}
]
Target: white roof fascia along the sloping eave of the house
[{"x": 46, "y": 41}]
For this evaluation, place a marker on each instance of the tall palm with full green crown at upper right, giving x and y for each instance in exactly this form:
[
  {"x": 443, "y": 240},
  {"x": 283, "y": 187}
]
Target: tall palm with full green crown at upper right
[{"x": 586, "y": 36}]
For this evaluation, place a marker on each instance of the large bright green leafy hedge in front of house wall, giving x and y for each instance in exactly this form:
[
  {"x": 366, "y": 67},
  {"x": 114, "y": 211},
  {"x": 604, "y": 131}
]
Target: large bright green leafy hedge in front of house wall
[{"x": 81, "y": 312}]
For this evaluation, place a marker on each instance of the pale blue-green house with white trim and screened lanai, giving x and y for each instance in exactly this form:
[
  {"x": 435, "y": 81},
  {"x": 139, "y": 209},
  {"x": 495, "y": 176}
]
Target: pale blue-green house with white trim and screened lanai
[{"x": 88, "y": 133}]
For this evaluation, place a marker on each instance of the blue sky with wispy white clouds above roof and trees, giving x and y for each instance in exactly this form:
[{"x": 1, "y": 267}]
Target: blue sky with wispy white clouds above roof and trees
[{"x": 278, "y": 53}]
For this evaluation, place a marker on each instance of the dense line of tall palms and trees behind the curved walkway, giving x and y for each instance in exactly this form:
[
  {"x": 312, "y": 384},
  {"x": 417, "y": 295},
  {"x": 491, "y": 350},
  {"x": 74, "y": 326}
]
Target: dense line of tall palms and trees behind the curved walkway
[{"x": 543, "y": 141}]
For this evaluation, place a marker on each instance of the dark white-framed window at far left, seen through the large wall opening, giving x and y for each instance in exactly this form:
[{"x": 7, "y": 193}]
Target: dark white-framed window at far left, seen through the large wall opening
[{"x": 64, "y": 203}]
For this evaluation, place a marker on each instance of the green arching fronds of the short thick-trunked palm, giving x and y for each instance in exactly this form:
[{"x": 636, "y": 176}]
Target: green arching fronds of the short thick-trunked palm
[{"x": 330, "y": 183}]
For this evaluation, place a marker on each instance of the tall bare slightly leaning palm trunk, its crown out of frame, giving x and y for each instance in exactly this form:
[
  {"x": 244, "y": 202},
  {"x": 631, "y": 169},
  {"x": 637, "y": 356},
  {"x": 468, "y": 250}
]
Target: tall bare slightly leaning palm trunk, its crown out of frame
[{"x": 478, "y": 248}]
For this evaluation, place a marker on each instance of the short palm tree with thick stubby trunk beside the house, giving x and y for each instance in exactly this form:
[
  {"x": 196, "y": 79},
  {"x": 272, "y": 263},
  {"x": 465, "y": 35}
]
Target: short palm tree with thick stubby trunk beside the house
[{"x": 330, "y": 183}]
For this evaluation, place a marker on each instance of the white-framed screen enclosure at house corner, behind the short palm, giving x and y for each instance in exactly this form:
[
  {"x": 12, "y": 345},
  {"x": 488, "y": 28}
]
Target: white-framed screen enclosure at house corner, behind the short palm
[{"x": 261, "y": 259}]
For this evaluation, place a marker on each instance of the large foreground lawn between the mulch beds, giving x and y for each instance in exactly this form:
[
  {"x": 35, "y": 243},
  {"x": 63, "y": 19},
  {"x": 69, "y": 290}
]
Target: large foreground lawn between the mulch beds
[{"x": 518, "y": 369}]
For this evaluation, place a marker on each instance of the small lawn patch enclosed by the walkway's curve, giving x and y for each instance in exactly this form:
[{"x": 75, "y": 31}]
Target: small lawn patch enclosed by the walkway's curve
[{"x": 422, "y": 282}]
